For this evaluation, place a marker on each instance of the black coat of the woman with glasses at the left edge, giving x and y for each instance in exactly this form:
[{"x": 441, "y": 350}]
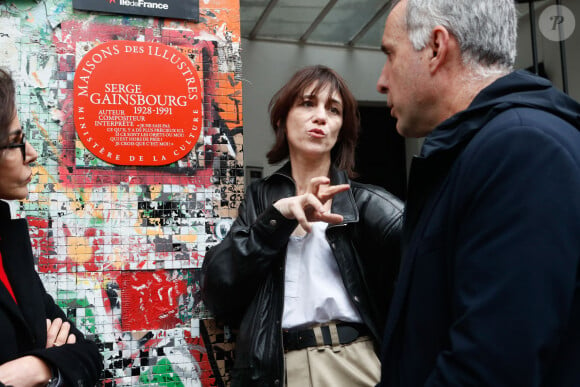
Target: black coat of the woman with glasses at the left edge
[{"x": 23, "y": 326}]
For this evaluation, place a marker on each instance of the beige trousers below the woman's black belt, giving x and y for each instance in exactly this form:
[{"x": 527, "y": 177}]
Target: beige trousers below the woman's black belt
[{"x": 350, "y": 365}]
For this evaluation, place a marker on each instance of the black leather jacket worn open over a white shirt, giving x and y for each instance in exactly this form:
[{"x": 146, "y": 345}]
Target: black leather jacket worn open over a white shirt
[{"x": 243, "y": 283}]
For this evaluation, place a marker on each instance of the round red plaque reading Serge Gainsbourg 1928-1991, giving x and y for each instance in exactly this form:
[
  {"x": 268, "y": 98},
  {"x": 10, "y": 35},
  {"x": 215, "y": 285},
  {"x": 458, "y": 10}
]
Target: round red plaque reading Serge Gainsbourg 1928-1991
[{"x": 137, "y": 103}]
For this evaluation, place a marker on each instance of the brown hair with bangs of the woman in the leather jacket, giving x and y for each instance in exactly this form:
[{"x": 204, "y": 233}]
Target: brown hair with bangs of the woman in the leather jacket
[{"x": 342, "y": 154}]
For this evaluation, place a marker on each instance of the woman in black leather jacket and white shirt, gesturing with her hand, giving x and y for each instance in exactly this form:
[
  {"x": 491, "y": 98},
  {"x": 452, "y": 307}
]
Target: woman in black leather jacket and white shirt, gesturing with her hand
[{"x": 307, "y": 268}]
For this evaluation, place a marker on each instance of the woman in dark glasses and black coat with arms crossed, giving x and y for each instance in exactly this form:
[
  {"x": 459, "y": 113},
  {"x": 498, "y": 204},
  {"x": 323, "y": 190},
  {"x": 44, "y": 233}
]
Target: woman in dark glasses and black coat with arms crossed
[{"x": 39, "y": 346}]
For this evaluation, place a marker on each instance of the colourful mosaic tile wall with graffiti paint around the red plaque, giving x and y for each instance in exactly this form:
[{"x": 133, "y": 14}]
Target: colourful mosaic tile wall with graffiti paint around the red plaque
[{"x": 120, "y": 248}]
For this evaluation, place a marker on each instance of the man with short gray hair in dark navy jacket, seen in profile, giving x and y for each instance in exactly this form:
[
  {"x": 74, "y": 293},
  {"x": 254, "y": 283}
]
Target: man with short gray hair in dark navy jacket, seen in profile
[{"x": 489, "y": 291}]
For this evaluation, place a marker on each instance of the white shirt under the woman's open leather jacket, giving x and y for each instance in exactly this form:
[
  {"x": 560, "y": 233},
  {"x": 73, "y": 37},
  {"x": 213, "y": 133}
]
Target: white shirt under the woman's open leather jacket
[{"x": 313, "y": 290}]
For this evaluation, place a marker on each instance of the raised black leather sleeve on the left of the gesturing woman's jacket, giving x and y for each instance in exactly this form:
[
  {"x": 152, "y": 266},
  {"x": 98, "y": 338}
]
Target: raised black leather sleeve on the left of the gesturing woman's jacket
[{"x": 234, "y": 269}]
